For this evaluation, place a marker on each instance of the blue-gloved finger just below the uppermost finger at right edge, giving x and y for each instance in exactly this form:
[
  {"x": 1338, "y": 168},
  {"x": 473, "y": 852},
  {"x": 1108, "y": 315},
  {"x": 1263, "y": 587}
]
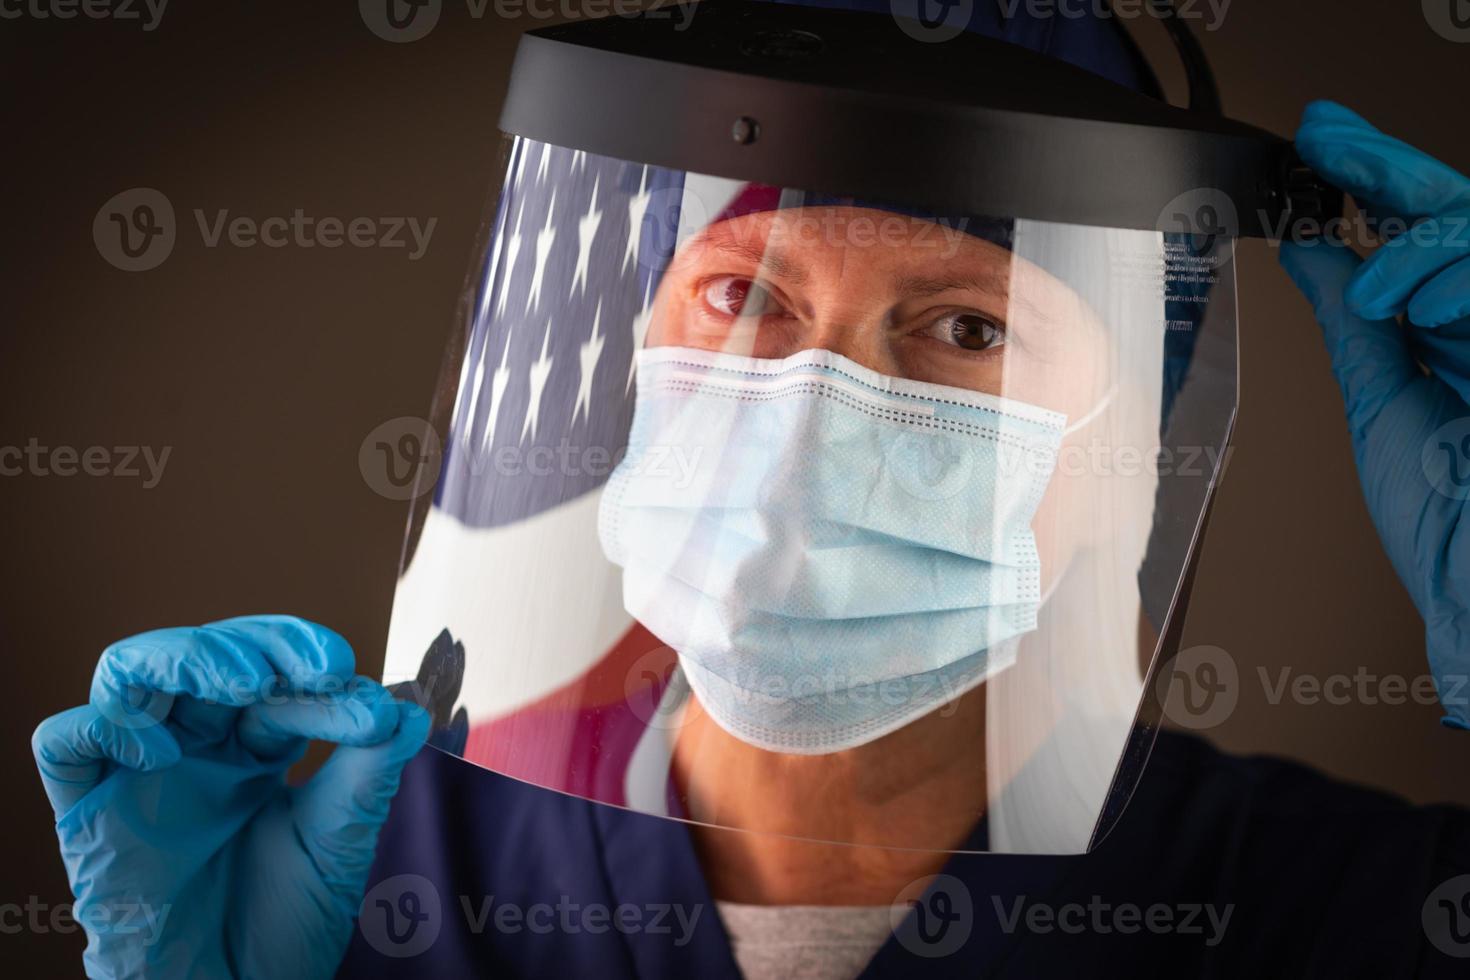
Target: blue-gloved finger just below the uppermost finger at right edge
[{"x": 1393, "y": 275}]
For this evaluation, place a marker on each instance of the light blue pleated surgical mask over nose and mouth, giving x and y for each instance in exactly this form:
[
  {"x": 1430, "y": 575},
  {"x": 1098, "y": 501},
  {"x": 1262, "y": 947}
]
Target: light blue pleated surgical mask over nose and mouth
[{"x": 831, "y": 553}]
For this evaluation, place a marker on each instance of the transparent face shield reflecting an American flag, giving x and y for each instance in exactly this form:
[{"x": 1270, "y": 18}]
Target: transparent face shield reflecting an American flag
[{"x": 752, "y": 487}]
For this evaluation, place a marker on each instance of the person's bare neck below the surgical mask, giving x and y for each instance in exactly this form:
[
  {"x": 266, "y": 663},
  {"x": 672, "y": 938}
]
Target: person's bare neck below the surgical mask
[{"x": 906, "y": 799}]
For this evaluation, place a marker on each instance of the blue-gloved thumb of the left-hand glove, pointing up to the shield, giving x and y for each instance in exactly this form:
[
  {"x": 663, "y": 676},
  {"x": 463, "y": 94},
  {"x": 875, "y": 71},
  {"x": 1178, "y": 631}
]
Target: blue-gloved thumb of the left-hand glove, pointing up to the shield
[{"x": 340, "y": 812}]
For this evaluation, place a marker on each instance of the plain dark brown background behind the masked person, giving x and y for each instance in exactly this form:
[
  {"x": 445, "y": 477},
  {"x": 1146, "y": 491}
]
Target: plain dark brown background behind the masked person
[{"x": 264, "y": 370}]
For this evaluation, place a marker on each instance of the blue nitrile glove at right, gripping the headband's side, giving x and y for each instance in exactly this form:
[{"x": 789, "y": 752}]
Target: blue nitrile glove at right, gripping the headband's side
[{"x": 1410, "y": 427}]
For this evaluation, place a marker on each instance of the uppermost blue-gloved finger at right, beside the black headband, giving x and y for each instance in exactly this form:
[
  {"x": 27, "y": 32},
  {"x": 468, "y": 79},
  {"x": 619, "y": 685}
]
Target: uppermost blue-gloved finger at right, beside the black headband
[{"x": 1377, "y": 168}]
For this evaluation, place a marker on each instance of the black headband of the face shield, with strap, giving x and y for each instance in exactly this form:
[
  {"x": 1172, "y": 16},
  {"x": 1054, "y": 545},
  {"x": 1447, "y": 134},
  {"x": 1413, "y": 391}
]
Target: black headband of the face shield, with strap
[{"x": 847, "y": 102}]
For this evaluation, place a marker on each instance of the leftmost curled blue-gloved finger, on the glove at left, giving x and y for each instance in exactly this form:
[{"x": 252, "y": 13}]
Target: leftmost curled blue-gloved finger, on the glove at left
[{"x": 74, "y": 749}]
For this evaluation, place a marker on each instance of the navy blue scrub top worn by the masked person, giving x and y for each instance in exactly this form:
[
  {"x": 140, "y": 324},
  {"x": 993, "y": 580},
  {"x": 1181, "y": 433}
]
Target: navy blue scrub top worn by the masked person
[{"x": 1221, "y": 868}]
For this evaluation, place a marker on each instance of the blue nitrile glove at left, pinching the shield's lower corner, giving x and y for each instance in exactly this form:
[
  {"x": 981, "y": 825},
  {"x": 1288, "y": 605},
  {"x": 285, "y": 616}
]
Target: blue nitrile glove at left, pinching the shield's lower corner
[{"x": 187, "y": 851}]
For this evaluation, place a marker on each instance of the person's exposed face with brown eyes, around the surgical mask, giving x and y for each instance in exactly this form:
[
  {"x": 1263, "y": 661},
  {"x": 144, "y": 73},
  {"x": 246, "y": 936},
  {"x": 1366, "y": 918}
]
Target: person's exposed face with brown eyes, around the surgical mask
[{"x": 900, "y": 296}]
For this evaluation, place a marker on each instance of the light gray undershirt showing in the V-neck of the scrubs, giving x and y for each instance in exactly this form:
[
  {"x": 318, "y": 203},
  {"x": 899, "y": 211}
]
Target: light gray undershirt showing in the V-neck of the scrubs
[{"x": 805, "y": 943}]
